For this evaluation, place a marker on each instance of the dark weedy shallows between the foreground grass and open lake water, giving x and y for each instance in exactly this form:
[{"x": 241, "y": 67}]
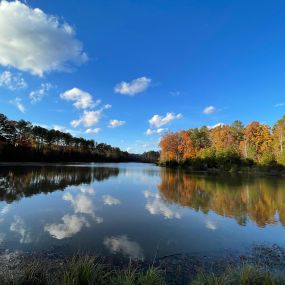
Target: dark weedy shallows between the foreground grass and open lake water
[{"x": 178, "y": 269}]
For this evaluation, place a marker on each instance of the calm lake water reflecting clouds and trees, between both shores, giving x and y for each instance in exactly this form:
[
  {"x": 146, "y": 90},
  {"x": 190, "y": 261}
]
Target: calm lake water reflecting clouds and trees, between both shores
[{"x": 136, "y": 210}]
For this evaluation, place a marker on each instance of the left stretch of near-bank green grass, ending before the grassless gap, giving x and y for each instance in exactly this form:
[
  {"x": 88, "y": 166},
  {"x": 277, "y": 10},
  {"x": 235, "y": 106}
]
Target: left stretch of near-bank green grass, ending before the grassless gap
[{"x": 81, "y": 270}]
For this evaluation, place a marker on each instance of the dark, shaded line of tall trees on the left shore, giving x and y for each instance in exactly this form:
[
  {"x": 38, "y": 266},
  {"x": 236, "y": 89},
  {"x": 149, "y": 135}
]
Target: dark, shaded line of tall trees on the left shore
[{"x": 22, "y": 141}]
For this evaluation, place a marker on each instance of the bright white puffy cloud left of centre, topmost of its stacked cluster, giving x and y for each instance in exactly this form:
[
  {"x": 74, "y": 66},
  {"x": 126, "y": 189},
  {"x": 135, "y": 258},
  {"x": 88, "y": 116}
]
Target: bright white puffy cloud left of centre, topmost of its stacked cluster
[{"x": 82, "y": 99}]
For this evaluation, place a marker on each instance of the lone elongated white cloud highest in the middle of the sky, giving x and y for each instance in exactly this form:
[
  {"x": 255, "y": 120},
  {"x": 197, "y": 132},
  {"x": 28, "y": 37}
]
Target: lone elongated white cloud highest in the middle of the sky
[{"x": 132, "y": 88}]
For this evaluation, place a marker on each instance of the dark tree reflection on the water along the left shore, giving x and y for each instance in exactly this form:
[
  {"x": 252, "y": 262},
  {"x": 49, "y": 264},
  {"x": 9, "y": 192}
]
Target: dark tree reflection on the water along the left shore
[{"x": 17, "y": 182}]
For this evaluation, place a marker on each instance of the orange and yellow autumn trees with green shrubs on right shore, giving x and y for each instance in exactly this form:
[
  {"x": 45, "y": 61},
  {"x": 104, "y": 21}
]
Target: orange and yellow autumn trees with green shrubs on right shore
[{"x": 226, "y": 147}]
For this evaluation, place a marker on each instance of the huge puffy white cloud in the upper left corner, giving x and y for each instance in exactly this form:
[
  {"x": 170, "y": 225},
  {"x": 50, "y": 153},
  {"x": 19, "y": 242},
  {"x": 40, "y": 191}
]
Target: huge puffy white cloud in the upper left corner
[{"x": 33, "y": 41}]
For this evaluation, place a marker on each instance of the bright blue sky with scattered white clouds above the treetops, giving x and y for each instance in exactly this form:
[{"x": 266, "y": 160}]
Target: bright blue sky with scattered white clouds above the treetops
[{"x": 123, "y": 72}]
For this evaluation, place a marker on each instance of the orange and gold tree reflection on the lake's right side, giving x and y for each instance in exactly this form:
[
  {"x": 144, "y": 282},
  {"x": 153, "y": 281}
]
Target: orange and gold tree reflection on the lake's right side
[{"x": 261, "y": 200}]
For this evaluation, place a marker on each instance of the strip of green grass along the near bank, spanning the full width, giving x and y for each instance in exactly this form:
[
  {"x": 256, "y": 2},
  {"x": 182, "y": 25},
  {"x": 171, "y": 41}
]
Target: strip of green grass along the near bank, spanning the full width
[{"x": 83, "y": 270}]
